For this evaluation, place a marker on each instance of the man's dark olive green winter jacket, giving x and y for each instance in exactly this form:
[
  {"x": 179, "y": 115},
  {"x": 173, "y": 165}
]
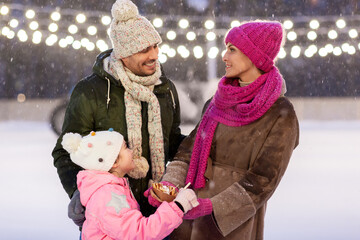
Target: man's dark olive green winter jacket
[{"x": 89, "y": 110}]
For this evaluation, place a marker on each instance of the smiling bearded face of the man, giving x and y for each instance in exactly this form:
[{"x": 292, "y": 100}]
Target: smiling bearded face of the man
[{"x": 143, "y": 63}]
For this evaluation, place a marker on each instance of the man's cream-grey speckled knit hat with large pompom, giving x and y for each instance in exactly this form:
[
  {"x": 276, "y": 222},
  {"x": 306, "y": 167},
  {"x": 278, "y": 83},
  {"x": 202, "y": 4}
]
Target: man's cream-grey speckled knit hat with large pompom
[{"x": 130, "y": 33}]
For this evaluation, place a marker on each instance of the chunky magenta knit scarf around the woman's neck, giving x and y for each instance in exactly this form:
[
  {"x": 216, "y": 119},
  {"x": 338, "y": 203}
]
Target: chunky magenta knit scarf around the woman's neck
[{"x": 233, "y": 106}]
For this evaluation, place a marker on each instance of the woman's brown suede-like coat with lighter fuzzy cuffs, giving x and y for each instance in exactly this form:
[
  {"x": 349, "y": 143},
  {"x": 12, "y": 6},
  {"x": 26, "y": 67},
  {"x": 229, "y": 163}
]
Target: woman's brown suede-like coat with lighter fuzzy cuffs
[{"x": 244, "y": 168}]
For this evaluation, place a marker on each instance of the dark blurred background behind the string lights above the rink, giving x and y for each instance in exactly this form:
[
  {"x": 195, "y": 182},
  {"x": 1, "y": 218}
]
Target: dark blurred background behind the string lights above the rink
[{"x": 40, "y": 71}]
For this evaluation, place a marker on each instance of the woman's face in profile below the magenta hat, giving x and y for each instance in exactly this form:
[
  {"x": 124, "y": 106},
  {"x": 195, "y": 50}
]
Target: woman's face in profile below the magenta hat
[{"x": 237, "y": 64}]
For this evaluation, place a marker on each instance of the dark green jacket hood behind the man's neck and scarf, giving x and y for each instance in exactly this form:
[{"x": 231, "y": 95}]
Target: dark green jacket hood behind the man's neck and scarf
[{"x": 98, "y": 69}]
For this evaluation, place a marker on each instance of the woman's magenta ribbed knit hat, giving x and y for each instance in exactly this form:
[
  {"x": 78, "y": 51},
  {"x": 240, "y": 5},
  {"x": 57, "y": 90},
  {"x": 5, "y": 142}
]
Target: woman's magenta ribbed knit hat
[{"x": 260, "y": 41}]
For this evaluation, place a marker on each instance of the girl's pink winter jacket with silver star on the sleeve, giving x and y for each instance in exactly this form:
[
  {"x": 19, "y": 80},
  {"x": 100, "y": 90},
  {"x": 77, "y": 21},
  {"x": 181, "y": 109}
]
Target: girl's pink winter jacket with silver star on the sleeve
[{"x": 113, "y": 213}]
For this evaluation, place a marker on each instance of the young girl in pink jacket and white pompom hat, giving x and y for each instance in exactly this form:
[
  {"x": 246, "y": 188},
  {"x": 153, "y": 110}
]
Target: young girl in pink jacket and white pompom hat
[{"x": 111, "y": 209}]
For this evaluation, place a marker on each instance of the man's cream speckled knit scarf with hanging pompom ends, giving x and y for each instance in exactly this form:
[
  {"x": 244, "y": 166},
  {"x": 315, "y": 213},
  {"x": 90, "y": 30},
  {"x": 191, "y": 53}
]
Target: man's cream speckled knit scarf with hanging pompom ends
[{"x": 140, "y": 89}]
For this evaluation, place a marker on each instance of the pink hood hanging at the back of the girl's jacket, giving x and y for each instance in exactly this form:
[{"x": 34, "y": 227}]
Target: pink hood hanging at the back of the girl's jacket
[{"x": 89, "y": 181}]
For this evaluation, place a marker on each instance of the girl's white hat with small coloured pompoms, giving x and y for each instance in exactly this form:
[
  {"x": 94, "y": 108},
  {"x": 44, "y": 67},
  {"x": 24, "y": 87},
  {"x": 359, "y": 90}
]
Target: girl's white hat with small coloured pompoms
[{"x": 96, "y": 151}]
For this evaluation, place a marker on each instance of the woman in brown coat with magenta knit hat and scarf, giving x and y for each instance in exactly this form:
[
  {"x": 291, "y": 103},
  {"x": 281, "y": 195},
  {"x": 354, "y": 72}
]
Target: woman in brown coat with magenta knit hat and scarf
[{"x": 237, "y": 155}]
